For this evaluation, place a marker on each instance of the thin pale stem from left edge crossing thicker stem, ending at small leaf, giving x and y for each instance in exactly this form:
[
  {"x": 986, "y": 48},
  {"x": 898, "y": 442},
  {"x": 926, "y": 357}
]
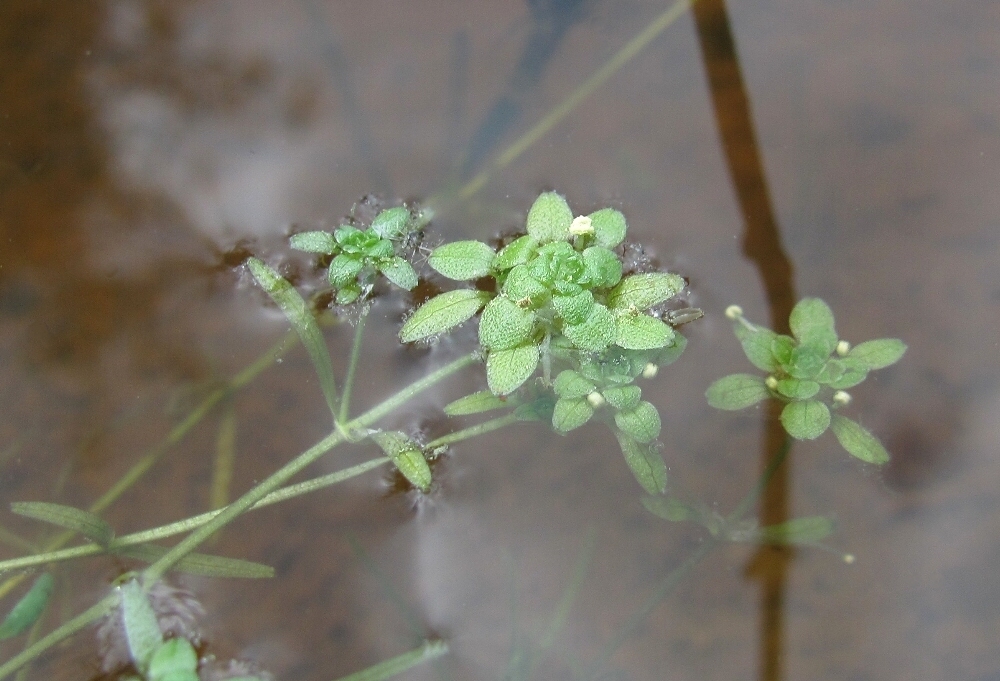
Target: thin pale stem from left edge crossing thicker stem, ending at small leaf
[{"x": 189, "y": 524}]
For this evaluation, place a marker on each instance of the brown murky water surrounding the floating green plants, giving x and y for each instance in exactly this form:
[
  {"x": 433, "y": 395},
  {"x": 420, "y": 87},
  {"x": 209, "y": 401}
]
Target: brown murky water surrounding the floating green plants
[{"x": 146, "y": 147}]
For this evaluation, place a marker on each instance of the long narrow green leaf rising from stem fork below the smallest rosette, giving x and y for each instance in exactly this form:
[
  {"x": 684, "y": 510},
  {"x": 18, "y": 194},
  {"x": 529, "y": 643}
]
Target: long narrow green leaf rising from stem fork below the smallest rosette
[{"x": 302, "y": 320}]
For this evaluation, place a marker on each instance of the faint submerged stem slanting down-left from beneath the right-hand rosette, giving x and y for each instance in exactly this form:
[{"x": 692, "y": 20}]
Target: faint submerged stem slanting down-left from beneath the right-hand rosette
[{"x": 677, "y": 575}]
